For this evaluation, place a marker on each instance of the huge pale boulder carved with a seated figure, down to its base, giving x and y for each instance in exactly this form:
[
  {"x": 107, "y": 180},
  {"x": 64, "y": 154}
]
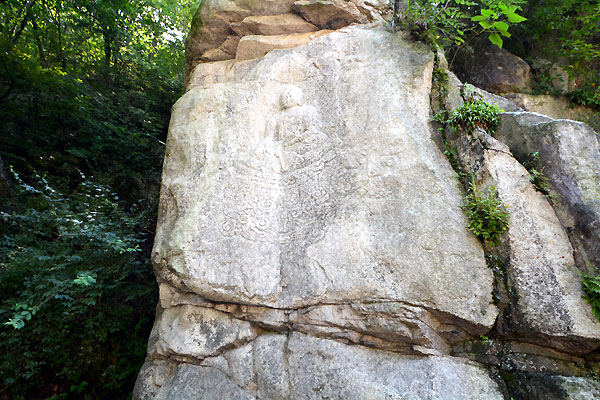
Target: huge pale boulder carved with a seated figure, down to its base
[{"x": 276, "y": 215}]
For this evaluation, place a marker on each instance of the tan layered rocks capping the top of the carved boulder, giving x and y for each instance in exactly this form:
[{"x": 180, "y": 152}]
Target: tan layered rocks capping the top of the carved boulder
[{"x": 218, "y": 25}]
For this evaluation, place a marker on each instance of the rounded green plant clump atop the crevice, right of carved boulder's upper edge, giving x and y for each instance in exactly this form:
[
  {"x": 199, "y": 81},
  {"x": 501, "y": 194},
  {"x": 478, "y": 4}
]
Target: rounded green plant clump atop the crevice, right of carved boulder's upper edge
[{"x": 474, "y": 113}]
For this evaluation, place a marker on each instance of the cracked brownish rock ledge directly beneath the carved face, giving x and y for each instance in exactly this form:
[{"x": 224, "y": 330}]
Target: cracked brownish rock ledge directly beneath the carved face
[{"x": 393, "y": 326}]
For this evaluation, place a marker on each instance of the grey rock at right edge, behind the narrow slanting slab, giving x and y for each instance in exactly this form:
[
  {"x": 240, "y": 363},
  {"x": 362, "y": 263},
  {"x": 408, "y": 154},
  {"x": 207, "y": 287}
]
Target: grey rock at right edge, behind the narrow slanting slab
[{"x": 570, "y": 157}]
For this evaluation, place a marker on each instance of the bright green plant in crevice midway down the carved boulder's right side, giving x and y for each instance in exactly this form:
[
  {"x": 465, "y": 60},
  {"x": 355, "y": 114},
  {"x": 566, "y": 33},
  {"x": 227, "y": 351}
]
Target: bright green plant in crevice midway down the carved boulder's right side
[{"x": 487, "y": 218}]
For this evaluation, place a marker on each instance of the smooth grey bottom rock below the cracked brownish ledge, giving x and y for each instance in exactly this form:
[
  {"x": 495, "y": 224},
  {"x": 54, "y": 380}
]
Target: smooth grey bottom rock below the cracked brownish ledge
[{"x": 303, "y": 367}]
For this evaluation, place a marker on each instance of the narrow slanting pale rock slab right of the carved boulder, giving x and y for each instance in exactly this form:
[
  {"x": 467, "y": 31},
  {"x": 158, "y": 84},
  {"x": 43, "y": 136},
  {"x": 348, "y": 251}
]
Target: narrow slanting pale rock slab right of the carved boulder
[{"x": 544, "y": 285}]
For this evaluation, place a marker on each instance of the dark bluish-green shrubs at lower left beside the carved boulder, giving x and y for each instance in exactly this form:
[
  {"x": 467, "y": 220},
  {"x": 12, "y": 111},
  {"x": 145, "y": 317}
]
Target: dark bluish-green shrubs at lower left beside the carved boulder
[{"x": 73, "y": 285}]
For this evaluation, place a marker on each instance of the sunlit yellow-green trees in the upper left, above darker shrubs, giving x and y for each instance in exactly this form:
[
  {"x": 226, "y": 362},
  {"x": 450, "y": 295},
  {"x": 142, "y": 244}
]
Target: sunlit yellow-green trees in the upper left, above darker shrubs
[{"x": 89, "y": 86}]
